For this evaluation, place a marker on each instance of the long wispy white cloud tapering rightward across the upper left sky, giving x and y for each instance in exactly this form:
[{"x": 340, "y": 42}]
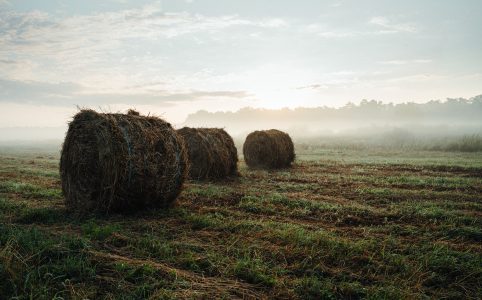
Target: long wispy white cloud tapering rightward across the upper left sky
[{"x": 44, "y": 34}]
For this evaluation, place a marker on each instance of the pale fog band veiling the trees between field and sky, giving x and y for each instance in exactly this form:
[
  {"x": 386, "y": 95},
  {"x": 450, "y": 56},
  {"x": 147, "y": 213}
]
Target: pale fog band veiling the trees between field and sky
[{"x": 431, "y": 125}]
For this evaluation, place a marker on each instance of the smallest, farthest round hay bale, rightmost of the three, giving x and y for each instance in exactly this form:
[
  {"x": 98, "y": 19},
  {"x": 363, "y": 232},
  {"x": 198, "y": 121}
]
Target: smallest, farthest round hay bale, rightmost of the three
[{"x": 268, "y": 149}]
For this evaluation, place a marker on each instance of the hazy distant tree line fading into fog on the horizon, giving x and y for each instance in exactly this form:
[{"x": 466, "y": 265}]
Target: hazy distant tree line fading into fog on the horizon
[{"x": 452, "y": 111}]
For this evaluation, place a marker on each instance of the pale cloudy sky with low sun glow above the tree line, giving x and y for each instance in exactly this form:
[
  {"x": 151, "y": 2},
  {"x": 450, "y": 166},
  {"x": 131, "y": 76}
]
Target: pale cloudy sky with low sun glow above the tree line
[{"x": 175, "y": 57}]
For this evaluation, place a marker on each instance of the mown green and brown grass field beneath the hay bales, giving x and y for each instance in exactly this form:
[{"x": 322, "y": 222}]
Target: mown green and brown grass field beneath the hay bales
[{"x": 339, "y": 224}]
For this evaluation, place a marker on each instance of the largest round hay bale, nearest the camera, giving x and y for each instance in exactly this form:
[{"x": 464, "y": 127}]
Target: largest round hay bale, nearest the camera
[{"x": 119, "y": 163}]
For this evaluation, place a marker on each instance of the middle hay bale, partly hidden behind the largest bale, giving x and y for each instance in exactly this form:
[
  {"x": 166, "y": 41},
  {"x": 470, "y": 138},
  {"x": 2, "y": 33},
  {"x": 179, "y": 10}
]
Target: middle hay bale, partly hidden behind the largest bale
[{"x": 211, "y": 151}]
